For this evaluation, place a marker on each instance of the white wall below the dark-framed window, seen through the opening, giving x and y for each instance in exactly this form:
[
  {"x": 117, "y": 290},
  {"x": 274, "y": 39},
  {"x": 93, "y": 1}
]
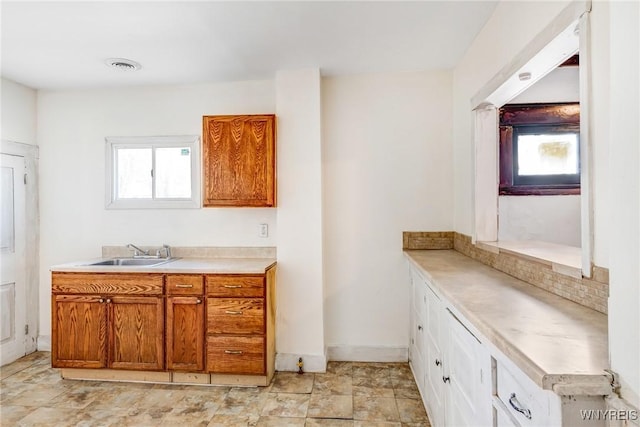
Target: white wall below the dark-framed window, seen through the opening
[{"x": 554, "y": 219}]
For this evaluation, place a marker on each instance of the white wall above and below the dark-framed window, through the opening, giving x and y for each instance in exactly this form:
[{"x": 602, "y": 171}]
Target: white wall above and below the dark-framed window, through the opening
[{"x": 554, "y": 219}]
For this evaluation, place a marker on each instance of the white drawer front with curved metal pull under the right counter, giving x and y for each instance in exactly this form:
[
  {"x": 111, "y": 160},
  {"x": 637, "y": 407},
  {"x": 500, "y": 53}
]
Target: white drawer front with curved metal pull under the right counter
[{"x": 524, "y": 400}]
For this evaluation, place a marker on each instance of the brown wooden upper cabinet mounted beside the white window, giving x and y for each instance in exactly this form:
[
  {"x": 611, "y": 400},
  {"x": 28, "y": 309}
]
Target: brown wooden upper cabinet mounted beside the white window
[{"x": 239, "y": 161}]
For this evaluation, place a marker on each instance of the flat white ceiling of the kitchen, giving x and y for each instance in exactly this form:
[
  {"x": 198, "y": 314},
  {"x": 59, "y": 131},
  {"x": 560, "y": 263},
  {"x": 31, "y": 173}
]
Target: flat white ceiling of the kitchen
[{"x": 62, "y": 45}]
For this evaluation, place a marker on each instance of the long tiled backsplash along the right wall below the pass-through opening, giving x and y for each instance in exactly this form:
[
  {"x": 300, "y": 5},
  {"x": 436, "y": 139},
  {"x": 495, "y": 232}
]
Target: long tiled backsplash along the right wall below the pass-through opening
[{"x": 592, "y": 293}]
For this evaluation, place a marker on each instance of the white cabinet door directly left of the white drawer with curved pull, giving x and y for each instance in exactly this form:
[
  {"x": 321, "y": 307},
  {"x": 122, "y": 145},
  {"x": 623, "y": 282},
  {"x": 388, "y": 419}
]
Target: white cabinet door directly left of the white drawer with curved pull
[{"x": 467, "y": 377}]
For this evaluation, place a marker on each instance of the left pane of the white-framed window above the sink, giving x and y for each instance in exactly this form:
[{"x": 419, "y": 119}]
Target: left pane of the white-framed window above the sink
[{"x": 134, "y": 179}]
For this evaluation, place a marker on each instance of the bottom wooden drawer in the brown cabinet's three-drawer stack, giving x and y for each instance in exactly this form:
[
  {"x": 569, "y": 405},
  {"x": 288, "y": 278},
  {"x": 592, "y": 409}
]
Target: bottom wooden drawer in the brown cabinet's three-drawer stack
[{"x": 235, "y": 355}]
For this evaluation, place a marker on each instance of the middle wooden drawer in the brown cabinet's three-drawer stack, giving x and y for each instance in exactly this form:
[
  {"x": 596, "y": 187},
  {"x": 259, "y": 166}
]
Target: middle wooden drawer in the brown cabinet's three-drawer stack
[{"x": 235, "y": 316}]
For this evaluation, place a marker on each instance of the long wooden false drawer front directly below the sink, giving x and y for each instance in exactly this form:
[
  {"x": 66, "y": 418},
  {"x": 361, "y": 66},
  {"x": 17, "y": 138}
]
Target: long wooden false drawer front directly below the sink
[{"x": 103, "y": 283}]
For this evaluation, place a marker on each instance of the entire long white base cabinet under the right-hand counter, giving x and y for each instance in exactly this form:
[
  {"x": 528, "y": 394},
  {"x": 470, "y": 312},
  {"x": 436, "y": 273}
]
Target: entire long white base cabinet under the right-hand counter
[{"x": 466, "y": 380}]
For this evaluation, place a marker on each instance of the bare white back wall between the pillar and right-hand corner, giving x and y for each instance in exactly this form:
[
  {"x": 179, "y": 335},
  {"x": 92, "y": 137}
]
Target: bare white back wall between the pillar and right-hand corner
[{"x": 387, "y": 167}]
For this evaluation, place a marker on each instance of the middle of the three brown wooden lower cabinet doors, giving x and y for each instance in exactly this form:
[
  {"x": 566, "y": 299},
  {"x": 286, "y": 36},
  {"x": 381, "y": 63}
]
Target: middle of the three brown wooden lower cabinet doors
[{"x": 136, "y": 338}]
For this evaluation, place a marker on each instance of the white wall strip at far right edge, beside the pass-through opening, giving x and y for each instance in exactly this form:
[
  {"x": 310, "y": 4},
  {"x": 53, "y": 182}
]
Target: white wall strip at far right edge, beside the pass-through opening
[{"x": 624, "y": 299}]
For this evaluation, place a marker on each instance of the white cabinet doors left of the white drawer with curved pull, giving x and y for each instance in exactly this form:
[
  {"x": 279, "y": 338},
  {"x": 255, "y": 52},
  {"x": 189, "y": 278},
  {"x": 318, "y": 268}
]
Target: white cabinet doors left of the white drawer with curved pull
[{"x": 452, "y": 368}]
